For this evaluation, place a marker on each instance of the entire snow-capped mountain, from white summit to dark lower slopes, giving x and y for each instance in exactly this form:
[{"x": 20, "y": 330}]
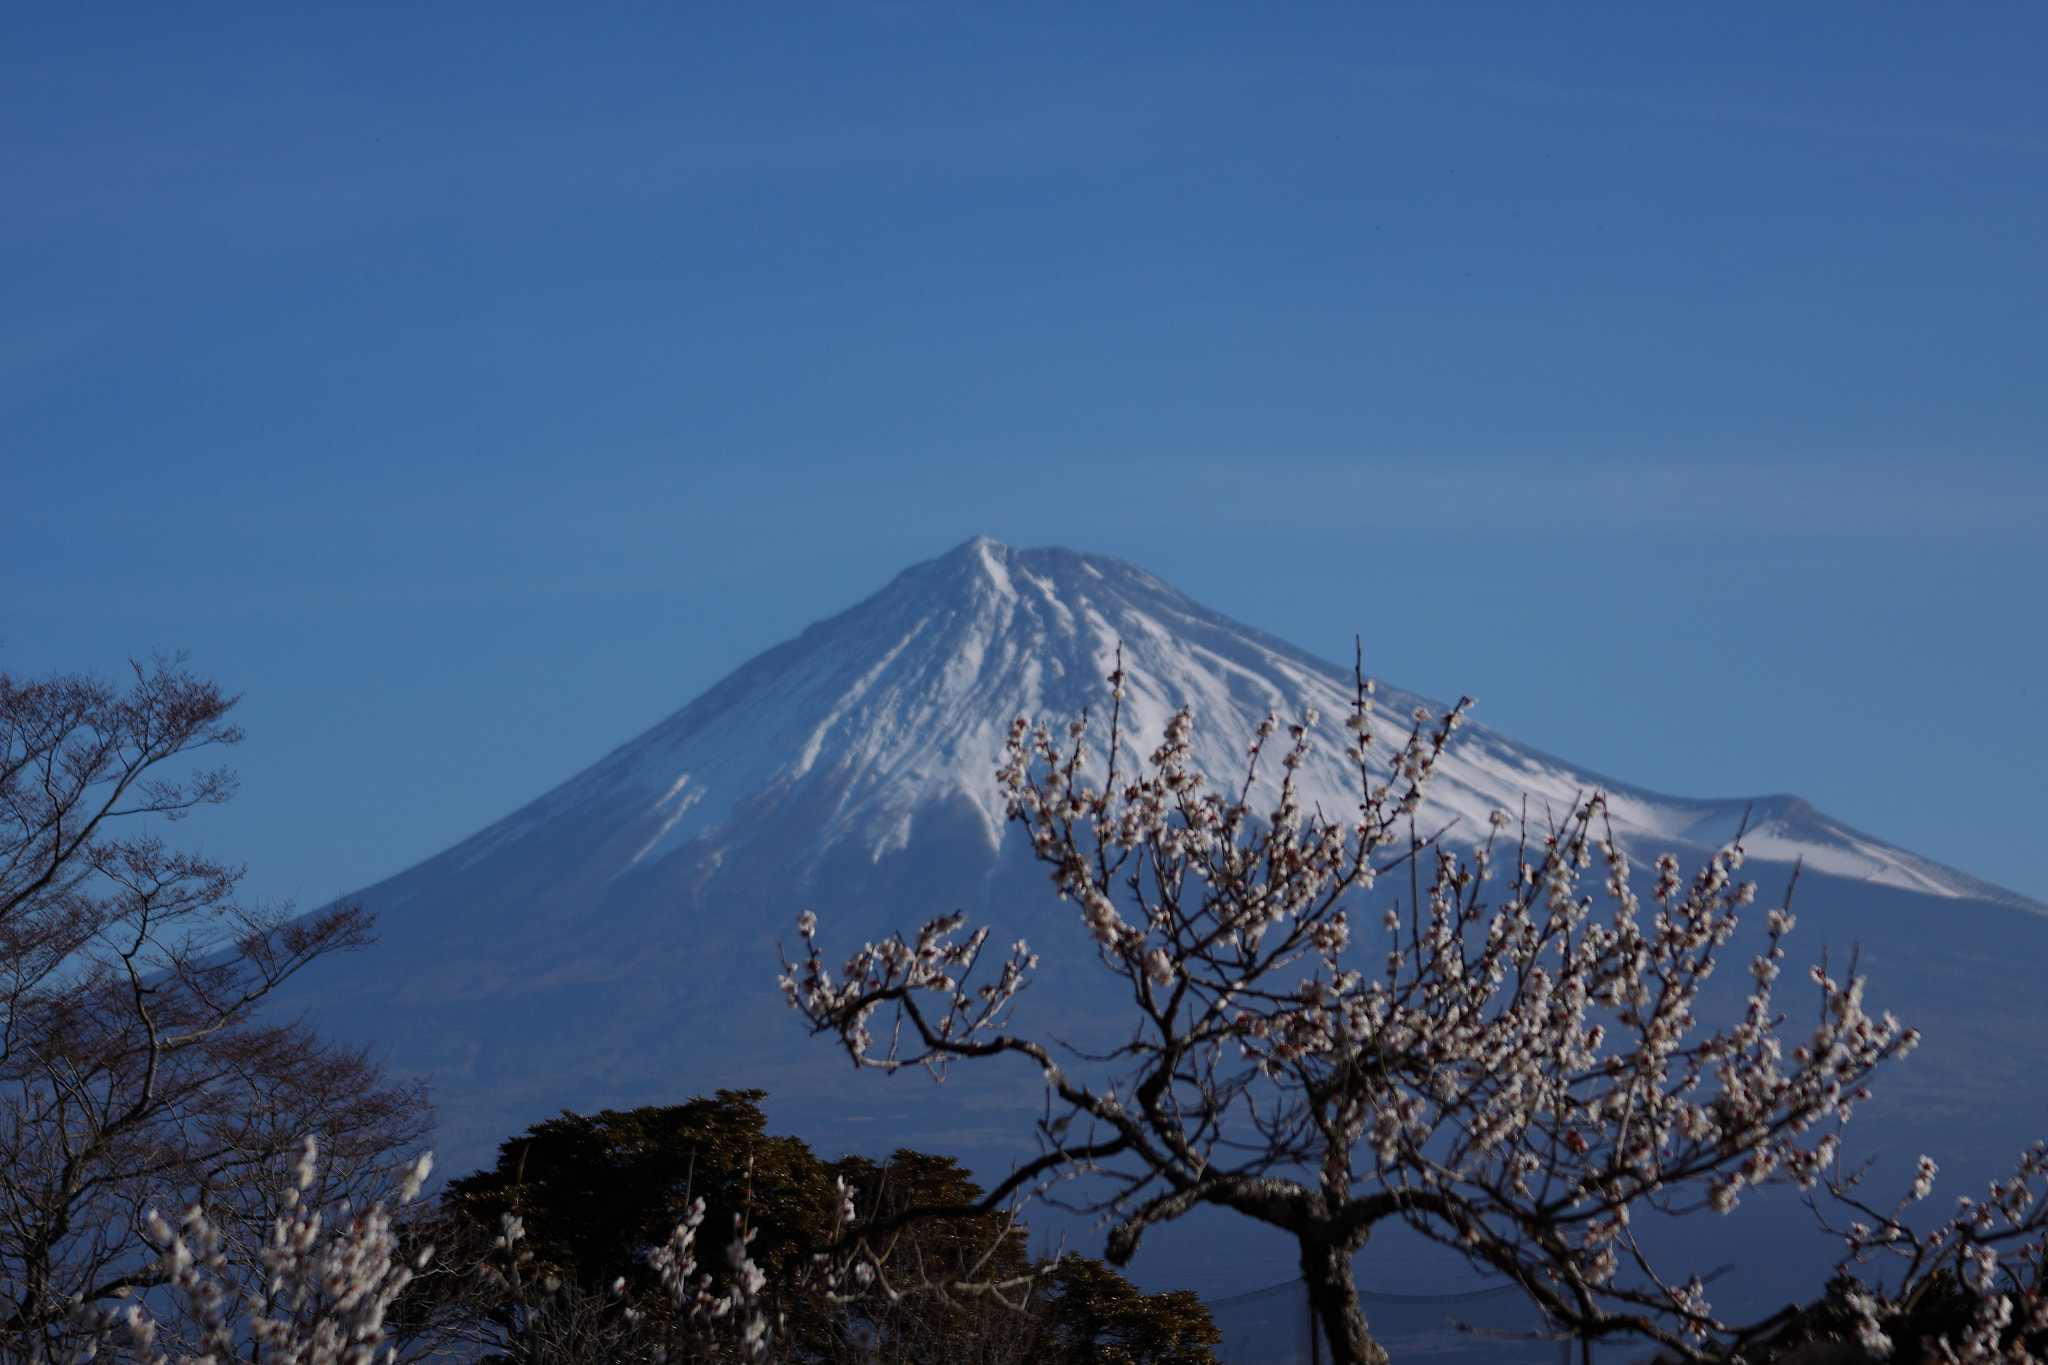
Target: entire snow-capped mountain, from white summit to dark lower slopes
[{"x": 615, "y": 940}]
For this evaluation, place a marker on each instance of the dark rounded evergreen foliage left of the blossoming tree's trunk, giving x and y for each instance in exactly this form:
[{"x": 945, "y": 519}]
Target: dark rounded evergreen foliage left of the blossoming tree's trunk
[{"x": 599, "y": 1192}]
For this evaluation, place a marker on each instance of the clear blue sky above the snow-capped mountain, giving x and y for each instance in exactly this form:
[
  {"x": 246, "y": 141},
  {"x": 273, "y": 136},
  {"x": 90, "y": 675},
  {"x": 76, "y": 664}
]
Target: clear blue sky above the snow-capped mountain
[{"x": 472, "y": 386}]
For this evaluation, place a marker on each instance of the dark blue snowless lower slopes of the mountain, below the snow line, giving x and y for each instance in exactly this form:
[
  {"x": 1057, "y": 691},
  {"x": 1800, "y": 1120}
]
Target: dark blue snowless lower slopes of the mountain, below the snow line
[{"x": 601, "y": 1002}]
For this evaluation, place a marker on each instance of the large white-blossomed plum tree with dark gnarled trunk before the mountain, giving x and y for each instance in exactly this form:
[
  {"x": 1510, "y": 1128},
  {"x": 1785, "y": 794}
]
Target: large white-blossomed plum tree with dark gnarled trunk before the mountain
[{"x": 1504, "y": 1053}]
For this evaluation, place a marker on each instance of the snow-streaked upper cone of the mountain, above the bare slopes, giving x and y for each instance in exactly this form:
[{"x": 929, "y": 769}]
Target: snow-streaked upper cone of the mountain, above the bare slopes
[{"x": 906, "y": 701}]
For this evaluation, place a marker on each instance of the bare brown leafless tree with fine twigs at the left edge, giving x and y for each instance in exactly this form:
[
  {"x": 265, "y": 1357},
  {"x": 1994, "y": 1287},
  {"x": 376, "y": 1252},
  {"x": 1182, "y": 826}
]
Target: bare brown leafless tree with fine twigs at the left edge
[{"x": 134, "y": 1067}]
